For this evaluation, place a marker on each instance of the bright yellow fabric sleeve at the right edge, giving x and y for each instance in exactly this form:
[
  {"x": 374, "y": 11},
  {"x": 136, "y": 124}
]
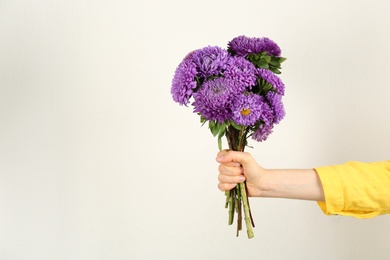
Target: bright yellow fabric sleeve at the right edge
[{"x": 357, "y": 189}]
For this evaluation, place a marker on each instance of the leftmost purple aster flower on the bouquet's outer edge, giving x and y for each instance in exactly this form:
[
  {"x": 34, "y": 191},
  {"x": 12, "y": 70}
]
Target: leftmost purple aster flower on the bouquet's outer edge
[{"x": 183, "y": 83}]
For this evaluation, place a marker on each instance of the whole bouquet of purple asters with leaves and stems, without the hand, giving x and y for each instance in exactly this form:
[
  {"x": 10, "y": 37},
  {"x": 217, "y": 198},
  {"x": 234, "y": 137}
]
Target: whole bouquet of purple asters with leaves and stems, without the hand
[{"x": 237, "y": 91}]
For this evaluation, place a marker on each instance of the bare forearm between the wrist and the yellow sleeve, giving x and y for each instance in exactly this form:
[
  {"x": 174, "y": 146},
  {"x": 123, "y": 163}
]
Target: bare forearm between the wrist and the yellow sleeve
[{"x": 292, "y": 184}]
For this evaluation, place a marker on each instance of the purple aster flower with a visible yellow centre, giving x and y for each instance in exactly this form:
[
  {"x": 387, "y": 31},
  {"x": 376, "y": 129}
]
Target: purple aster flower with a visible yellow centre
[{"x": 249, "y": 108}]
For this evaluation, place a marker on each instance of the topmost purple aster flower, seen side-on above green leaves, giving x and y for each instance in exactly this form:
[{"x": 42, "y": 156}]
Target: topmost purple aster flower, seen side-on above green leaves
[{"x": 242, "y": 45}]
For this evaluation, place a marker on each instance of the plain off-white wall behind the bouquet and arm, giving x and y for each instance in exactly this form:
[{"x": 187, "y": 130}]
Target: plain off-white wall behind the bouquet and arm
[{"x": 97, "y": 161}]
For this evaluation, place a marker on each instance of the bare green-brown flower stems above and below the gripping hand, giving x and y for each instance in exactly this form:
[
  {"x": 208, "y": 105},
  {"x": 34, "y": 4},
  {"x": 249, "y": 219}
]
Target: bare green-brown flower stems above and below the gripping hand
[{"x": 237, "y": 198}]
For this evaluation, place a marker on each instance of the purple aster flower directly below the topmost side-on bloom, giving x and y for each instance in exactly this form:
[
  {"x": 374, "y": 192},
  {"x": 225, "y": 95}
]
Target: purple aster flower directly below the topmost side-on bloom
[{"x": 242, "y": 71}]
